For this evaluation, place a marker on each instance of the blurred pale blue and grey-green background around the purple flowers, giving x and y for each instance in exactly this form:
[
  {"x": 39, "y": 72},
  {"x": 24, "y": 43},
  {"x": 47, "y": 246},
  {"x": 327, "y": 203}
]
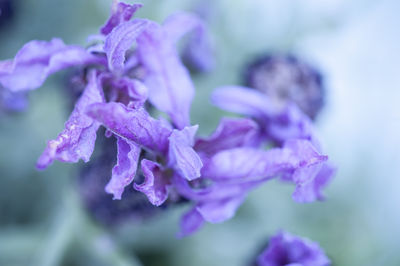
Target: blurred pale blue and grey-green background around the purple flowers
[{"x": 355, "y": 44}]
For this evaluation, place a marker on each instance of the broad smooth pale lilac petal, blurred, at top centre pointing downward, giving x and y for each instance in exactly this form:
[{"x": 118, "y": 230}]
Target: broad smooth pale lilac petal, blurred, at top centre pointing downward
[{"x": 170, "y": 88}]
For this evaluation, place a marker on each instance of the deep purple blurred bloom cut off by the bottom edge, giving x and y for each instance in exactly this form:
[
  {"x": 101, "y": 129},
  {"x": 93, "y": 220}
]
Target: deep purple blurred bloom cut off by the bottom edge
[{"x": 290, "y": 250}]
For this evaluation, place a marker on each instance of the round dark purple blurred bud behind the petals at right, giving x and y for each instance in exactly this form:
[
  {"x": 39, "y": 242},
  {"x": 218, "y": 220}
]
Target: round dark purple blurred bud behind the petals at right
[{"x": 285, "y": 78}]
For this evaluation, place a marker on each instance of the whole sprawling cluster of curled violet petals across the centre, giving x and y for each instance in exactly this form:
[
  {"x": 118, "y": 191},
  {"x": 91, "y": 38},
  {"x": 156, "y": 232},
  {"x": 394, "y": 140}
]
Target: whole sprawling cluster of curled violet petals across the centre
[{"x": 135, "y": 64}]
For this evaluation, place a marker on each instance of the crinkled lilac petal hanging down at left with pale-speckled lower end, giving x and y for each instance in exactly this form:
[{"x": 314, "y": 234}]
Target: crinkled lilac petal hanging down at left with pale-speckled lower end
[{"x": 78, "y": 138}]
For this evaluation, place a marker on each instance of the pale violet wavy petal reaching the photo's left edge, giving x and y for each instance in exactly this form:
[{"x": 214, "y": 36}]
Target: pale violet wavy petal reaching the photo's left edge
[{"x": 39, "y": 59}]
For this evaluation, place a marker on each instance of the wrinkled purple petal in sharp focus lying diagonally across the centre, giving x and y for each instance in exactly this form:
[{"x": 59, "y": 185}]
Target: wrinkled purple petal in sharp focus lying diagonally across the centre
[{"x": 132, "y": 124}]
